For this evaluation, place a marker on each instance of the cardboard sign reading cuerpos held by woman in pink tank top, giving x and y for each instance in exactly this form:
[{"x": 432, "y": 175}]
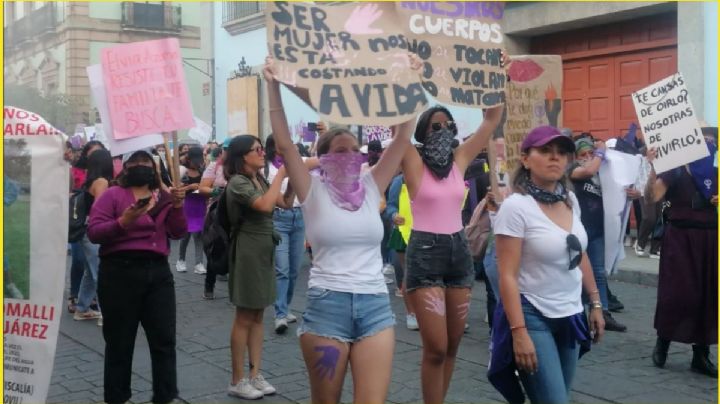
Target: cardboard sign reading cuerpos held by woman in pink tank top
[{"x": 461, "y": 44}]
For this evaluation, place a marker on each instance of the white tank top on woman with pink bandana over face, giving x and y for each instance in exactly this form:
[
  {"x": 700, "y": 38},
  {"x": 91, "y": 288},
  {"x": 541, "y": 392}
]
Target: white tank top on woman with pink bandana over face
[{"x": 346, "y": 245}]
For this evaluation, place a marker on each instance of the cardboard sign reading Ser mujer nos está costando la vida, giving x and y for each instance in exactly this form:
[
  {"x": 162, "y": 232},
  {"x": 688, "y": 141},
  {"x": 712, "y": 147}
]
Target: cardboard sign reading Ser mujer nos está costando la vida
[{"x": 352, "y": 58}]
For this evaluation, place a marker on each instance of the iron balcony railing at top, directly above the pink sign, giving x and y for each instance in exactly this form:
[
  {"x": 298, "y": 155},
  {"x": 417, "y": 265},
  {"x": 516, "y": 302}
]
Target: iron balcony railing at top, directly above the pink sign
[{"x": 147, "y": 16}]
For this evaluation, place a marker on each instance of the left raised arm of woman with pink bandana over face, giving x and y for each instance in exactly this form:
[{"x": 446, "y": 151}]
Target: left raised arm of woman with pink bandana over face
[{"x": 296, "y": 170}]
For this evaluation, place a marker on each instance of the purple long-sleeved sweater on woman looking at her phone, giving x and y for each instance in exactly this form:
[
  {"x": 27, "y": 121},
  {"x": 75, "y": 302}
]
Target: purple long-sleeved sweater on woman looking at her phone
[{"x": 148, "y": 233}]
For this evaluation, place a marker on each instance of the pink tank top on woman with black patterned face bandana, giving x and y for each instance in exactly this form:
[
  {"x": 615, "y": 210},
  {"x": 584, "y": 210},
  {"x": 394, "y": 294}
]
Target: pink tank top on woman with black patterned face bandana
[{"x": 438, "y": 203}]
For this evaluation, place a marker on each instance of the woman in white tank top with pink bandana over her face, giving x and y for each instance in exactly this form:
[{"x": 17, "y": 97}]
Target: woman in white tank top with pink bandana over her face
[{"x": 348, "y": 318}]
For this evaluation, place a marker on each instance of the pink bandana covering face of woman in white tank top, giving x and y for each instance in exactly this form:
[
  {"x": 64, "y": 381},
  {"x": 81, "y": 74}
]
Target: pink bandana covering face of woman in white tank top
[{"x": 341, "y": 174}]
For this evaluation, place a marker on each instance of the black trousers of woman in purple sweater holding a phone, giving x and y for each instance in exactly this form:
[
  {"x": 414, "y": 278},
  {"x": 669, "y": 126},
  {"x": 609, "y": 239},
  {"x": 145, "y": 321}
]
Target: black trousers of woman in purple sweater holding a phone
[{"x": 138, "y": 288}]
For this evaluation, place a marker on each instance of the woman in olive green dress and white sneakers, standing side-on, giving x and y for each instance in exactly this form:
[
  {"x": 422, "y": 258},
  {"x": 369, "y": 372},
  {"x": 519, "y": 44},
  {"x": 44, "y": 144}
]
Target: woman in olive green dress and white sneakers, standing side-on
[{"x": 251, "y": 201}]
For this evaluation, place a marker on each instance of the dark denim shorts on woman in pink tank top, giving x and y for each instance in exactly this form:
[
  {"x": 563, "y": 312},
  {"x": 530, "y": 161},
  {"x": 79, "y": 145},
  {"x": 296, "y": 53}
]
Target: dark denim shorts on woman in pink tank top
[{"x": 442, "y": 260}]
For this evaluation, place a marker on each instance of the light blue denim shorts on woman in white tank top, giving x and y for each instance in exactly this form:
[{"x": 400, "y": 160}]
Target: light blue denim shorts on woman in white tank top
[{"x": 346, "y": 317}]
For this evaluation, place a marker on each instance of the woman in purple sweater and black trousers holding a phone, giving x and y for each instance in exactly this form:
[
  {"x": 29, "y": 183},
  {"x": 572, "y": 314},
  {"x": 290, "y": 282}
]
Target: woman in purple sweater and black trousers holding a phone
[{"x": 132, "y": 223}]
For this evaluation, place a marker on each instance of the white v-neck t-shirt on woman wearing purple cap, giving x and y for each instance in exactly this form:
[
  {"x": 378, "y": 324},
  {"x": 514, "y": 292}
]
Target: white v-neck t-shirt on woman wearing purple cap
[{"x": 544, "y": 278}]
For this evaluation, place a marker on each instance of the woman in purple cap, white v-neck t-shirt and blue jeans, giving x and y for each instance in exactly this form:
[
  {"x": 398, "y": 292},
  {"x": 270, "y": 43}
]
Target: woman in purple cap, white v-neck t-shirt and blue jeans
[{"x": 542, "y": 265}]
